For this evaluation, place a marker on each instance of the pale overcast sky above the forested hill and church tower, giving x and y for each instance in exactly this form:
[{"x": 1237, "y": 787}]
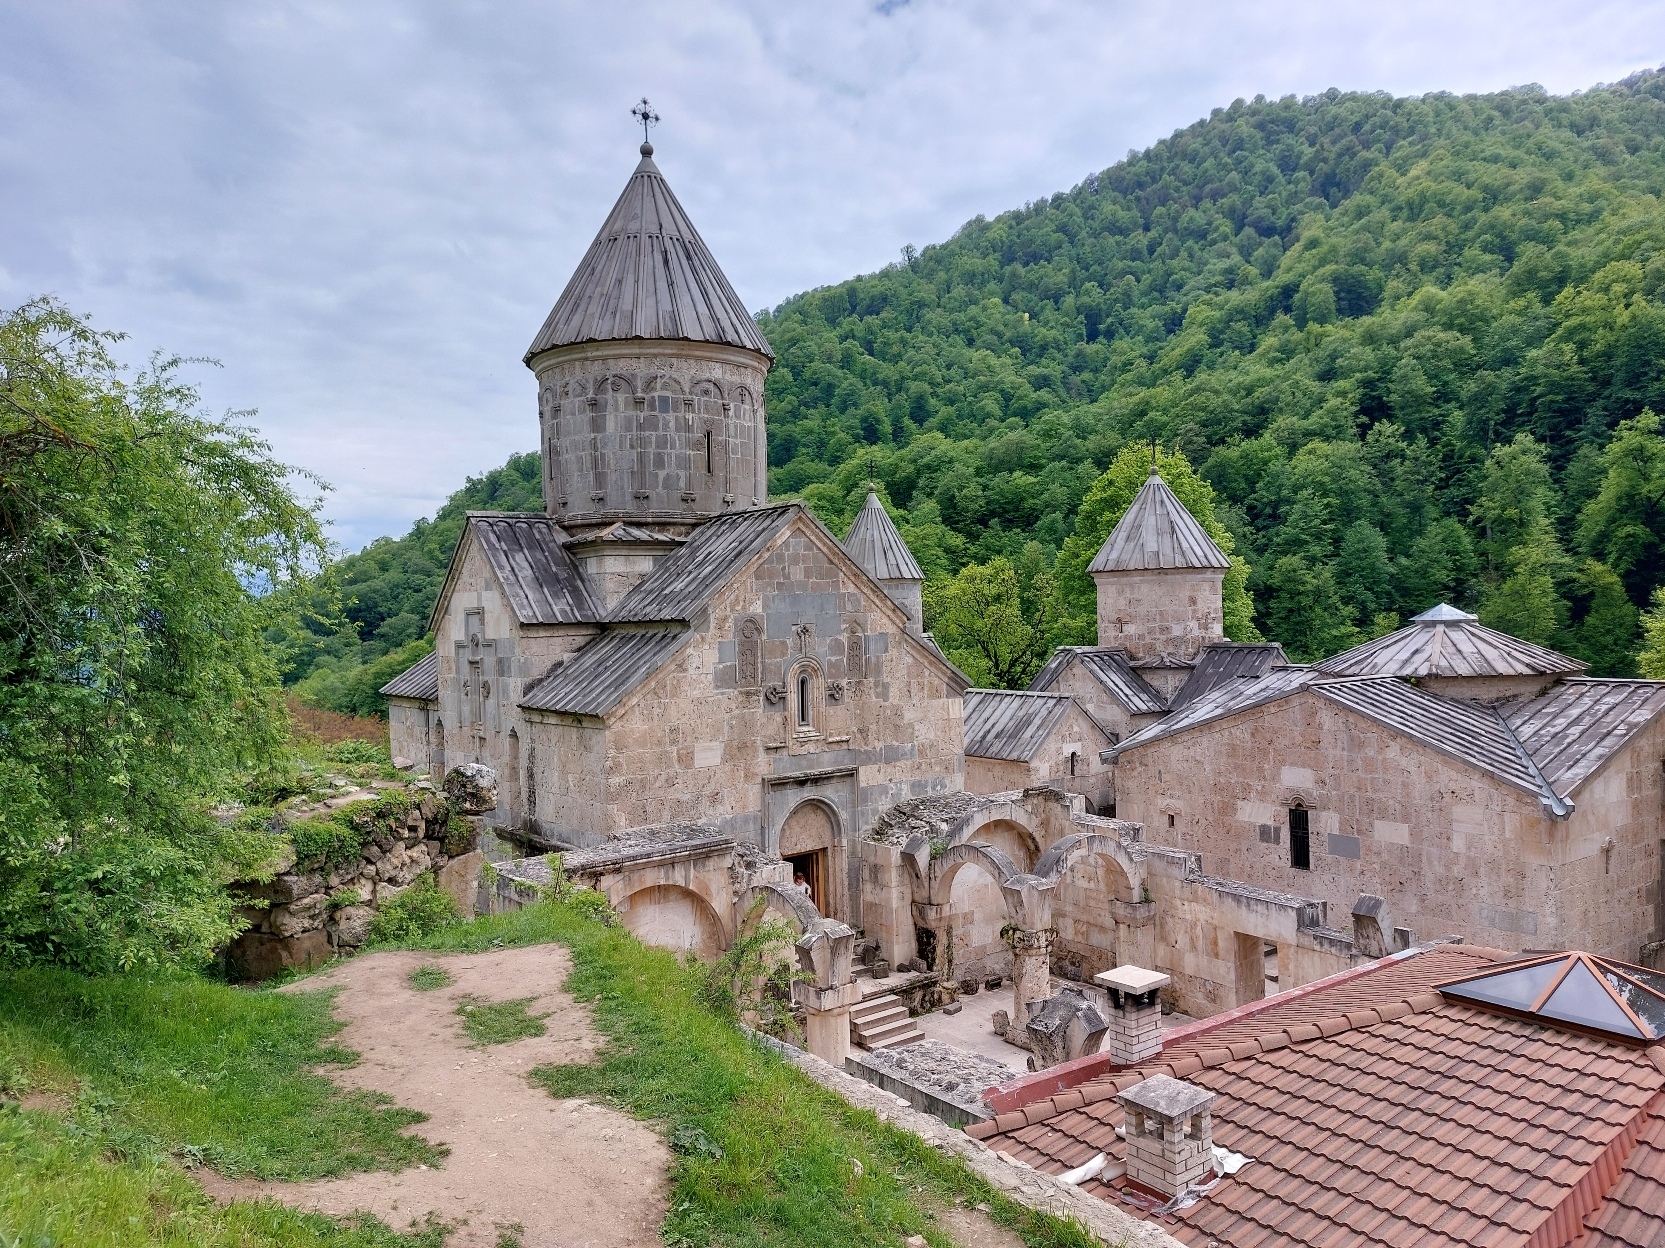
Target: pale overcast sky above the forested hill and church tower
[{"x": 364, "y": 210}]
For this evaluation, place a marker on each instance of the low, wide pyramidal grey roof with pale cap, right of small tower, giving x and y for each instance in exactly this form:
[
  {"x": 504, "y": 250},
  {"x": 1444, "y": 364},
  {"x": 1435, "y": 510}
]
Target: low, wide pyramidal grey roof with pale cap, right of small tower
[{"x": 1446, "y": 641}]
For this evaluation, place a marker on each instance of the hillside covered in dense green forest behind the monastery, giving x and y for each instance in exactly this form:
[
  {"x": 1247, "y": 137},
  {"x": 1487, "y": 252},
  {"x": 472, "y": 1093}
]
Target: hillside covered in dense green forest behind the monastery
[{"x": 1394, "y": 350}]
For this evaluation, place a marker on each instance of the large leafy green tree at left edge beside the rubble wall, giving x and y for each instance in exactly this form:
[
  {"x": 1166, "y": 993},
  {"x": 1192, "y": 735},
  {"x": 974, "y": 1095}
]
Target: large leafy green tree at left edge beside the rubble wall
[{"x": 134, "y": 675}]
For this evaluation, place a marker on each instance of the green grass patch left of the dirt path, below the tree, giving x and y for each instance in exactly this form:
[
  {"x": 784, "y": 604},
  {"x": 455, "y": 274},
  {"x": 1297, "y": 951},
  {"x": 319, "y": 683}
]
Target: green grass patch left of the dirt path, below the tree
[{"x": 166, "y": 1072}]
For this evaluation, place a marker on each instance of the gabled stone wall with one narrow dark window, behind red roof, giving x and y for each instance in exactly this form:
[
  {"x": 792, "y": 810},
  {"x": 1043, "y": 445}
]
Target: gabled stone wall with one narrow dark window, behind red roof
[{"x": 1453, "y": 849}]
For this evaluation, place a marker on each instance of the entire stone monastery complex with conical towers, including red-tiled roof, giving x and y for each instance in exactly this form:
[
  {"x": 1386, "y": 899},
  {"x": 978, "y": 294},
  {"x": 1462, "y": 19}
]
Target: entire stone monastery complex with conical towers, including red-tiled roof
[{"x": 705, "y": 703}]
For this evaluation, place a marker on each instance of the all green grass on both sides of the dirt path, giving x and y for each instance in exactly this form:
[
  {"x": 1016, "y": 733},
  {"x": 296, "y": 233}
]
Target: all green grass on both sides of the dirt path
[{"x": 161, "y": 1074}]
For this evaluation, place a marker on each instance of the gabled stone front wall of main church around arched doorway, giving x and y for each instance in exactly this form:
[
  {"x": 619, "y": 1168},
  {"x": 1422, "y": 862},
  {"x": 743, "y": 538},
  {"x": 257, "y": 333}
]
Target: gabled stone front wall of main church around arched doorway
[{"x": 702, "y": 740}]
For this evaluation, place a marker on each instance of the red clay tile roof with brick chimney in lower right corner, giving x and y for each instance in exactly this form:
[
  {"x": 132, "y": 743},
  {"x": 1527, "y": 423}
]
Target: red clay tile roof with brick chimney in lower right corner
[{"x": 1411, "y": 1122}]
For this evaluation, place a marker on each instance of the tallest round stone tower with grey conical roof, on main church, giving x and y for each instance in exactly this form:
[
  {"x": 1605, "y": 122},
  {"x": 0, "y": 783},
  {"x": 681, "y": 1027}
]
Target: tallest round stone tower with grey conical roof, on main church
[{"x": 650, "y": 377}]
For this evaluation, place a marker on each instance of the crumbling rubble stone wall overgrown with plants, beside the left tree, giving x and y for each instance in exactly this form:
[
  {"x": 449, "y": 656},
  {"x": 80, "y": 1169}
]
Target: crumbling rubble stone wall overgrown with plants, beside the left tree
[{"x": 349, "y": 859}]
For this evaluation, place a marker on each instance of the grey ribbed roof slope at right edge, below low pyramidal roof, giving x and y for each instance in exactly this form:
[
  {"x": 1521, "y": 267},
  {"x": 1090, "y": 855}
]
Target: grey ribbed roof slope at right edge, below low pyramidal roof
[{"x": 1583, "y": 723}]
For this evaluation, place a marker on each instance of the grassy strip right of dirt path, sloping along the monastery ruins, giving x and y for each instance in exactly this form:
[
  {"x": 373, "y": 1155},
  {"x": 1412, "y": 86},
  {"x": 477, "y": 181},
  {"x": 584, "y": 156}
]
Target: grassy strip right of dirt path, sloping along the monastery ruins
[{"x": 763, "y": 1156}]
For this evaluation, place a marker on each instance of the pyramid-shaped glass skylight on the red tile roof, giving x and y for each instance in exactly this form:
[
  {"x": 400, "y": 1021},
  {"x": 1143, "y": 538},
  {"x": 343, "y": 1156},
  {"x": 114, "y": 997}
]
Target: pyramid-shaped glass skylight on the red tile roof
[{"x": 1586, "y": 993}]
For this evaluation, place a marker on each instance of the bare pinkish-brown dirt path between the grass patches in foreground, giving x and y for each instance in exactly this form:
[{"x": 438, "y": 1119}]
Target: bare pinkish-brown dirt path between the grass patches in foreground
[{"x": 570, "y": 1174}]
